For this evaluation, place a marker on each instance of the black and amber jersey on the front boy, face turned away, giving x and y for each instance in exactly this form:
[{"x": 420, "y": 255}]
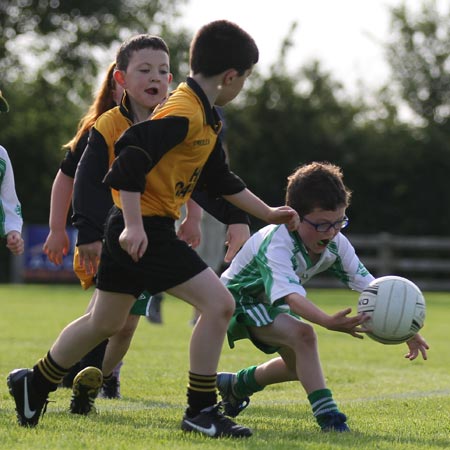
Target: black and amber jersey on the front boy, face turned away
[{"x": 167, "y": 157}]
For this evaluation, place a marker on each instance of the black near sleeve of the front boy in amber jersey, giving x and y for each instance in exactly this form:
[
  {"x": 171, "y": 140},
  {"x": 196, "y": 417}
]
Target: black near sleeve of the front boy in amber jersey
[{"x": 140, "y": 148}]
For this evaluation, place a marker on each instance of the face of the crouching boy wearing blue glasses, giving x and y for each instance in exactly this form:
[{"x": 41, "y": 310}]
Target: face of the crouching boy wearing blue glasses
[{"x": 316, "y": 241}]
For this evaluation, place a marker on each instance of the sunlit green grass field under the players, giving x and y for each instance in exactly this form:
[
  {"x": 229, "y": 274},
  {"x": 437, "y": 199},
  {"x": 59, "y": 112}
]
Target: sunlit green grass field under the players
[{"x": 392, "y": 403}]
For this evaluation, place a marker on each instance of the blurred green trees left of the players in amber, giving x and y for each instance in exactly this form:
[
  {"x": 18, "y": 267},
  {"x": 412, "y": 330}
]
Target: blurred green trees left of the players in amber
[{"x": 51, "y": 55}]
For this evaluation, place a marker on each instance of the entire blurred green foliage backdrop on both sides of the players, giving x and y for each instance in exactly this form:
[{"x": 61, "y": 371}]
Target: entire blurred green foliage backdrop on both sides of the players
[{"x": 51, "y": 54}]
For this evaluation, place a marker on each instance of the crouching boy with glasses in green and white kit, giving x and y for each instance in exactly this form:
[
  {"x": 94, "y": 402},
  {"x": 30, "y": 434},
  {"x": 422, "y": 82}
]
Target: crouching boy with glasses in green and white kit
[{"x": 266, "y": 279}]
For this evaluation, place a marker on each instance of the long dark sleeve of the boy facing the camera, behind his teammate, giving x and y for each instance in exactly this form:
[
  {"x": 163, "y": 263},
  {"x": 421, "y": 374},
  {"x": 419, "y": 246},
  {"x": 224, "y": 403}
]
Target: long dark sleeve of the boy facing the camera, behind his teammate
[{"x": 91, "y": 200}]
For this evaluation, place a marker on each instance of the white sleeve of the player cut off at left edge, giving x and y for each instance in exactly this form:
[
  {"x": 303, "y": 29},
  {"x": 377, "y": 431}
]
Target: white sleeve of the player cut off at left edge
[{"x": 10, "y": 208}]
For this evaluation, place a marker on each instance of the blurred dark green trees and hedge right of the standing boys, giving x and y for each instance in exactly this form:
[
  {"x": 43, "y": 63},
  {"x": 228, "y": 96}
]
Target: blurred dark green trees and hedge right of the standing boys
[{"x": 397, "y": 170}]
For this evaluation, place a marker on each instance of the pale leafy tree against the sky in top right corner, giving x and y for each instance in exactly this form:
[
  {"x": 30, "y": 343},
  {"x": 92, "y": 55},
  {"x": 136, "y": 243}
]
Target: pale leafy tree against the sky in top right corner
[{"x": 419, "y": 55}]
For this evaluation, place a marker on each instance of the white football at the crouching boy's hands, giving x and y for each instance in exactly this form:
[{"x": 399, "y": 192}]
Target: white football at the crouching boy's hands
[{"x": 396, "y": 307}]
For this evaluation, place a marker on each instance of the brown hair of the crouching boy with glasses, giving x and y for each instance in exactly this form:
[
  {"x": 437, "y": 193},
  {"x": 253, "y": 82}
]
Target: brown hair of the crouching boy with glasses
[{"x": 317, "y": 185}]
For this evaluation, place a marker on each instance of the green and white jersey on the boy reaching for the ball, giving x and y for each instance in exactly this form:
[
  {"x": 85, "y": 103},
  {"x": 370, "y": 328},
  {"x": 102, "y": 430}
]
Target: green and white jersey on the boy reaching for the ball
[{"x": 274, "y": 263}]
